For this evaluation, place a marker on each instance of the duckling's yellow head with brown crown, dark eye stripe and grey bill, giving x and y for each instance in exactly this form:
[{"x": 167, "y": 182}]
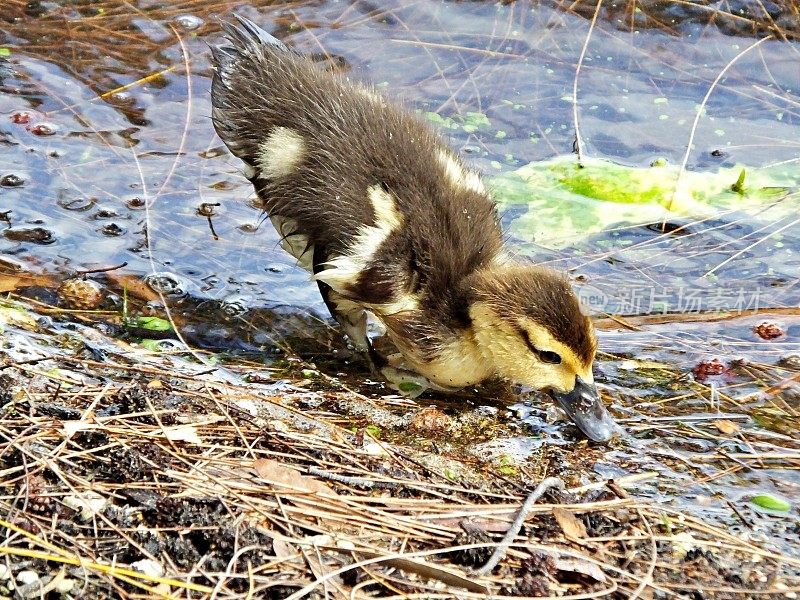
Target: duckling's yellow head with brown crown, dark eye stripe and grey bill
[{"x": 528, "y": 324}]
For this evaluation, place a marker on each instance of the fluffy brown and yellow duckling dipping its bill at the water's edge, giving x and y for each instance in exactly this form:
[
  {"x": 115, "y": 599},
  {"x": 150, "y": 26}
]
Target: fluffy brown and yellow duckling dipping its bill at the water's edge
[{"x": 390, "y": 222}]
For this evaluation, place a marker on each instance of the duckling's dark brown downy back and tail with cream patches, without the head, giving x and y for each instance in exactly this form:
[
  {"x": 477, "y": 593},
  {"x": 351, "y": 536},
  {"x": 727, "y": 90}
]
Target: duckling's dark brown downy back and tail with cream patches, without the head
[{"x": 364, "y": 183}]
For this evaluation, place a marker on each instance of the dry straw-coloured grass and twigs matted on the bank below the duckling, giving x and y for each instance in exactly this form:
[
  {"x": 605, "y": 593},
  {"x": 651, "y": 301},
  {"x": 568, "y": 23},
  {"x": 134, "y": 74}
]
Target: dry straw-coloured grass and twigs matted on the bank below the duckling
[{"x": 239, "y": 491}]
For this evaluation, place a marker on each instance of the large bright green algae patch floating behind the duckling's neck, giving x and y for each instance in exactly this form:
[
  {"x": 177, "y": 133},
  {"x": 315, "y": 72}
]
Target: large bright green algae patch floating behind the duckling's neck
[{"x": 567, "y": 201}]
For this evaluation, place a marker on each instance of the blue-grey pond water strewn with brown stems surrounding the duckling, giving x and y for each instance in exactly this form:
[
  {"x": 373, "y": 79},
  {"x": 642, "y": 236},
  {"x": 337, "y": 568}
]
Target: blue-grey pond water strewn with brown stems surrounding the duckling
[{"x": 109, "y": 157}]
